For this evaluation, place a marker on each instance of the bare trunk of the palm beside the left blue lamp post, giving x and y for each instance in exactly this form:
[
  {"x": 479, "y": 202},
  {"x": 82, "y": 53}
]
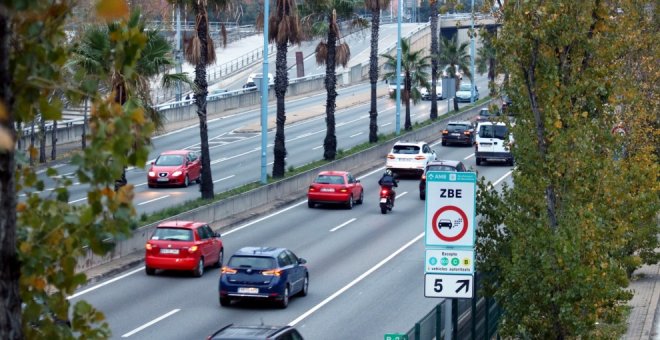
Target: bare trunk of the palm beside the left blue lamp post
[{"x": 281, "y": 84}]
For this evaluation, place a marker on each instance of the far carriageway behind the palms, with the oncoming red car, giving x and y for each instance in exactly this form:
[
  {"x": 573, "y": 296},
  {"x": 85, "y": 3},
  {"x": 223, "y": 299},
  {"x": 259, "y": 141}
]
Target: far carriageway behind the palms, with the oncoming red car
[{"x": 235, "y": 157}]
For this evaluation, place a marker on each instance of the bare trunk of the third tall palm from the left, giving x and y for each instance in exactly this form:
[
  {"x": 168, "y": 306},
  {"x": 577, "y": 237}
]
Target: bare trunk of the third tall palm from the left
[{"x": 330, "y": 141}]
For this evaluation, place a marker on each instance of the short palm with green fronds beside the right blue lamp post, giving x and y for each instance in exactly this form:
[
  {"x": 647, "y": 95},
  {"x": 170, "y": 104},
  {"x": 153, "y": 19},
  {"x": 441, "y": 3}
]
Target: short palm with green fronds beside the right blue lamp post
[{"x": 414, "y": 67}]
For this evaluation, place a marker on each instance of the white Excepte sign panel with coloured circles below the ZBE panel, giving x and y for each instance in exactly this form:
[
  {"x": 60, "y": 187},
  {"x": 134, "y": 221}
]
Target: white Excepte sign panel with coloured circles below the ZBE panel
[{"x": 449, "y": 261}]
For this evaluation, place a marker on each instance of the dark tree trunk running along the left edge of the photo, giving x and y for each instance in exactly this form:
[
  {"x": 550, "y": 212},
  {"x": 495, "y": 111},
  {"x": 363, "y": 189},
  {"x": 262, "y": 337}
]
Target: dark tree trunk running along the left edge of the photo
[{"x": 10, "y": 301}]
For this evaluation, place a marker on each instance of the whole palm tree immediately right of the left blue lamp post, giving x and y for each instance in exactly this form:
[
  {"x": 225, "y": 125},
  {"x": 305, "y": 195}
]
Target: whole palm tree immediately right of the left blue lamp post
[{"x": 284, "y": 28}]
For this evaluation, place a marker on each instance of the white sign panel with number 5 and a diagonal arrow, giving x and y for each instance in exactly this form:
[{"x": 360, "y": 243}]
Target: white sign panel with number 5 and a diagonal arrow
[{"x": 449, "y": 286}]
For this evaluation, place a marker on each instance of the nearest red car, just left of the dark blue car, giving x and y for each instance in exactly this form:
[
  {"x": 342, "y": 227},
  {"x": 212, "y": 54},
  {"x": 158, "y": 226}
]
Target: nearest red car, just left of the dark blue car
[{"x": 183, "y": 245}]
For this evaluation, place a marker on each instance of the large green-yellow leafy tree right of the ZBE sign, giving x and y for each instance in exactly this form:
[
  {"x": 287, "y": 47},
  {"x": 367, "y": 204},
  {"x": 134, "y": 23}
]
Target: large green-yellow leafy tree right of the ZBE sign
[{"x": 559, "y": 244}]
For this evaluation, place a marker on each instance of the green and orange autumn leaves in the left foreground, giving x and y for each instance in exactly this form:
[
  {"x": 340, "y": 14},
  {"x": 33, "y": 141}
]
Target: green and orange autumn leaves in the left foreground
[{"x": 49, "y": 234}]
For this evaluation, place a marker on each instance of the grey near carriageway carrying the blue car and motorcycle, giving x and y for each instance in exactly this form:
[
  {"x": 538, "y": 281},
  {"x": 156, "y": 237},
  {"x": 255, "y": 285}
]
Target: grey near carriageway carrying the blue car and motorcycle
[{"x": 366, "y": 271}]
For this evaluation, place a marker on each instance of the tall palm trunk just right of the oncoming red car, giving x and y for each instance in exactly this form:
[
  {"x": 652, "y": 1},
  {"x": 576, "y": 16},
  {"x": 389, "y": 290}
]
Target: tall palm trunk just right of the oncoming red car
[{"x": 200, "y": 100}]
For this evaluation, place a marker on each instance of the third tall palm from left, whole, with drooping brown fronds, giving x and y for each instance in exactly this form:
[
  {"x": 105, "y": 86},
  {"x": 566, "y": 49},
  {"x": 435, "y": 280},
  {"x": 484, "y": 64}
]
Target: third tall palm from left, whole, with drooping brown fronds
[{"x": 321, "y": 18}]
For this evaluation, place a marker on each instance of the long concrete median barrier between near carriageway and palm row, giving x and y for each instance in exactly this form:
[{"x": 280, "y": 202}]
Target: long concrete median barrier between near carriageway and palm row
[{"x": 230, "y": 211}]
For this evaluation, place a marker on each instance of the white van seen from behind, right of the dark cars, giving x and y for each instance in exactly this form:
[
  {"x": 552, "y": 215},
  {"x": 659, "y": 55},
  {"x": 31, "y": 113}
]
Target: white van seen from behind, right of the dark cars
[{"x": 492, "y": 143}]
